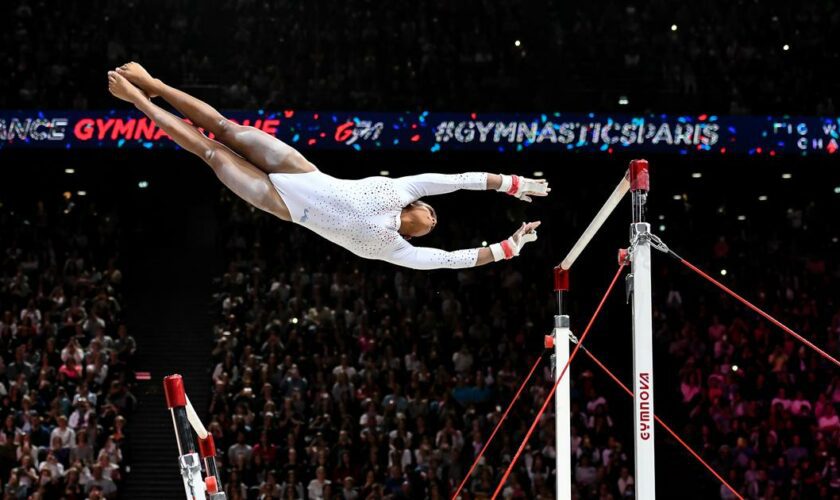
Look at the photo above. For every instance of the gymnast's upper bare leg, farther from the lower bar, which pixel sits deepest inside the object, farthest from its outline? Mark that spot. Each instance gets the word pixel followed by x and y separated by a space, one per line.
pixel 265 151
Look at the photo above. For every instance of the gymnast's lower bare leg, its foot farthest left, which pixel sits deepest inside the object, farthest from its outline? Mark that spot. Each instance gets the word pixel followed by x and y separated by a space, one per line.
pixel 247 181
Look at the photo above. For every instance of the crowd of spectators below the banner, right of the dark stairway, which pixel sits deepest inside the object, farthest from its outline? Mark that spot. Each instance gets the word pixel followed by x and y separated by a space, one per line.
pixel 340 378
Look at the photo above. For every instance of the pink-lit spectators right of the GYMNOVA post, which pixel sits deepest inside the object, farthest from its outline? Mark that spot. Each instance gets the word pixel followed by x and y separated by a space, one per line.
pixel 758 404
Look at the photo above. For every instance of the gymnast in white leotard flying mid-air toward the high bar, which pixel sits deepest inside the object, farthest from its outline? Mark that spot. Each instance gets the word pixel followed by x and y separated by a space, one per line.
pixel 372 217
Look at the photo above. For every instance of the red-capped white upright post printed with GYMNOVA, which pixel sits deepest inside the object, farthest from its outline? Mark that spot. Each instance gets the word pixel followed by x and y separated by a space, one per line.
pixel 642 335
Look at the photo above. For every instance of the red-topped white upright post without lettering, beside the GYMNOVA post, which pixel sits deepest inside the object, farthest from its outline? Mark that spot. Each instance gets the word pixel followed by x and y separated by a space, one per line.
pixel 562 430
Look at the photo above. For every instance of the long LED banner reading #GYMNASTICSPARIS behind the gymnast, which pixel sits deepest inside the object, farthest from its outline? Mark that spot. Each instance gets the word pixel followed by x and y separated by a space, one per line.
pixel 433 131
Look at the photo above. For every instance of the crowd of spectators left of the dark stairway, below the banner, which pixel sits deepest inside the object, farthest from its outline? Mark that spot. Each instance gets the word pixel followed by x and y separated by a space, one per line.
pixel 65 356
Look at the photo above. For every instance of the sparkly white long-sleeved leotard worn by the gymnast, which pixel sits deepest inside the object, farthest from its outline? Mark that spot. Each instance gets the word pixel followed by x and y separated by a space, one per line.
pixel 363 215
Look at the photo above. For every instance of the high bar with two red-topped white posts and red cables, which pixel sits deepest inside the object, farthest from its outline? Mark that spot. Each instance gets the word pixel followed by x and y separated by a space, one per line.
pixel 638 256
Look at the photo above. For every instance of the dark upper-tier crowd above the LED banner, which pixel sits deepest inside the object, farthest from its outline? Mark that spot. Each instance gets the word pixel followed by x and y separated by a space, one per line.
pixel 717 56
